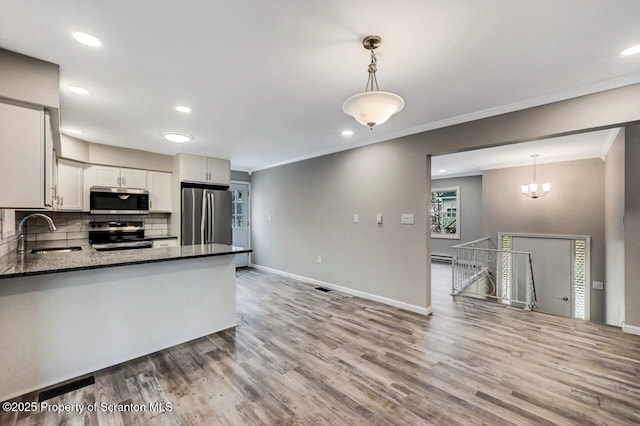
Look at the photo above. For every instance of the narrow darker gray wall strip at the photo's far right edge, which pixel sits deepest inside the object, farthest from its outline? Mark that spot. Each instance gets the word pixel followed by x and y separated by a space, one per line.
pixel 632 226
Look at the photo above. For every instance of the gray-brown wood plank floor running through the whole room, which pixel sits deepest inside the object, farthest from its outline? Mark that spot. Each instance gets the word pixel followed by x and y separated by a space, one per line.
pixel 301 356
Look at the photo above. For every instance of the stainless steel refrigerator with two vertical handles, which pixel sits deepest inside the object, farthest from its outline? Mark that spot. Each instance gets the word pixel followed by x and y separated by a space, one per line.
pixel 206 216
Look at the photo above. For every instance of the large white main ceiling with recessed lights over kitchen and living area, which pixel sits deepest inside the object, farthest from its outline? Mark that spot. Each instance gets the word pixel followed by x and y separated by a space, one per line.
pixel 266 78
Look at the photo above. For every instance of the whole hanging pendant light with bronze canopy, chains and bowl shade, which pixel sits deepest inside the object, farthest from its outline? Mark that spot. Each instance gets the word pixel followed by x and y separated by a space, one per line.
pixel 372 107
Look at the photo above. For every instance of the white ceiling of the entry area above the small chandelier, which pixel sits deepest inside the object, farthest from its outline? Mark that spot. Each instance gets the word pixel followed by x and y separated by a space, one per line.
pixel 565 148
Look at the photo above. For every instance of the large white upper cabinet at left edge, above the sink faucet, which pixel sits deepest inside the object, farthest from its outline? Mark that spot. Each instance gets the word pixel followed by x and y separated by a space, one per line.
pixel 24 171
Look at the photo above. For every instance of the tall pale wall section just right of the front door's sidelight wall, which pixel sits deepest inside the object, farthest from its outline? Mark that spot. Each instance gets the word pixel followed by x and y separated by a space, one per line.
pixel 614 232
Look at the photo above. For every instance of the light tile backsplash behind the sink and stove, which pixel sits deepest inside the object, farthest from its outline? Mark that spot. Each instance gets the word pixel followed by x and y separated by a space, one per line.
pixel 73 226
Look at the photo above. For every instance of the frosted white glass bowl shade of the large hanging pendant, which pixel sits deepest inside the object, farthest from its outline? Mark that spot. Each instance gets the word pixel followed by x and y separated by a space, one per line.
pixel 373 108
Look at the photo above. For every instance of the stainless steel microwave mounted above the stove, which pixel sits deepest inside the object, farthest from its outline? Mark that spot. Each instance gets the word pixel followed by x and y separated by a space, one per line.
pixel 103 200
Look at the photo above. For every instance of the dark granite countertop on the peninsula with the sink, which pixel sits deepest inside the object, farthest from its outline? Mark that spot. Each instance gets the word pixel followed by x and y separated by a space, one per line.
pixel 12 265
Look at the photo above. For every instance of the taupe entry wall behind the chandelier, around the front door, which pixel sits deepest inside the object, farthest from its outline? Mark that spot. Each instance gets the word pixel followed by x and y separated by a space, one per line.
pixel 575 206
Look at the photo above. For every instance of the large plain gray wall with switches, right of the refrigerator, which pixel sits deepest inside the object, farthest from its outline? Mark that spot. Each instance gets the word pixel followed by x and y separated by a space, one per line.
pixel 312 203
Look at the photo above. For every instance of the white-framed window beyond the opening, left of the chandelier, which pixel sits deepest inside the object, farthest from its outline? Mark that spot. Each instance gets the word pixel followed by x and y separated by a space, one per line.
pixel 445 216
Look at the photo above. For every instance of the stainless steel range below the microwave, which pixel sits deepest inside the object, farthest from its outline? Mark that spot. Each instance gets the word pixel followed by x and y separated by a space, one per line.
pixel 113 235
